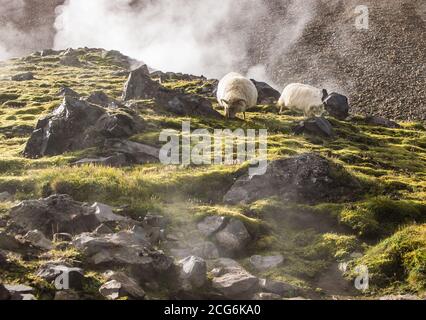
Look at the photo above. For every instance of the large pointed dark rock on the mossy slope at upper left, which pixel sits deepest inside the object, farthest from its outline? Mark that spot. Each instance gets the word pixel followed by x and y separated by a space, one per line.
pixel 76 125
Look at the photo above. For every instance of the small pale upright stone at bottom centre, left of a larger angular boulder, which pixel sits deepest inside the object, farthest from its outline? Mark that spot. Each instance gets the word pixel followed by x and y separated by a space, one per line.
pixel 193 271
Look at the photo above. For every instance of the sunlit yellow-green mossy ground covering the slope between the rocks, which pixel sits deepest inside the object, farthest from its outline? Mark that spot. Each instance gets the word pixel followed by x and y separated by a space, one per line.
pixel 390 163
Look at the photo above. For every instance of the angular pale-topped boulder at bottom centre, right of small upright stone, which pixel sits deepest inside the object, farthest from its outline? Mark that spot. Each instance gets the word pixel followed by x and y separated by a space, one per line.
pixel 233 281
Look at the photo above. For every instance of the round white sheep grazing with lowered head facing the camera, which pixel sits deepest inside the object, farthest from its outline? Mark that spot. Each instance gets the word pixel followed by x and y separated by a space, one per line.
pixel 236 93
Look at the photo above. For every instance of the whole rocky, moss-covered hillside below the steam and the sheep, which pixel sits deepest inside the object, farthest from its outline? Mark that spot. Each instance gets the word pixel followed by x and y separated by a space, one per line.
pixel 356 197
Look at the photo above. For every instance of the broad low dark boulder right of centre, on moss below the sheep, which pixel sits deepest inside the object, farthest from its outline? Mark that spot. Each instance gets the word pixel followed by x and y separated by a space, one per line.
pixel 307 178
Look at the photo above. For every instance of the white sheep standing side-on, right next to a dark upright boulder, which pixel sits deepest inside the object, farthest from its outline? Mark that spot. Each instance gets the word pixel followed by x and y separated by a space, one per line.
pixel 302 97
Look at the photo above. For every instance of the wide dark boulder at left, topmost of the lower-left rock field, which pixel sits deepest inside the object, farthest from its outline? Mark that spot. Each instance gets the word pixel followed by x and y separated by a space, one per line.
pixel 55 214
